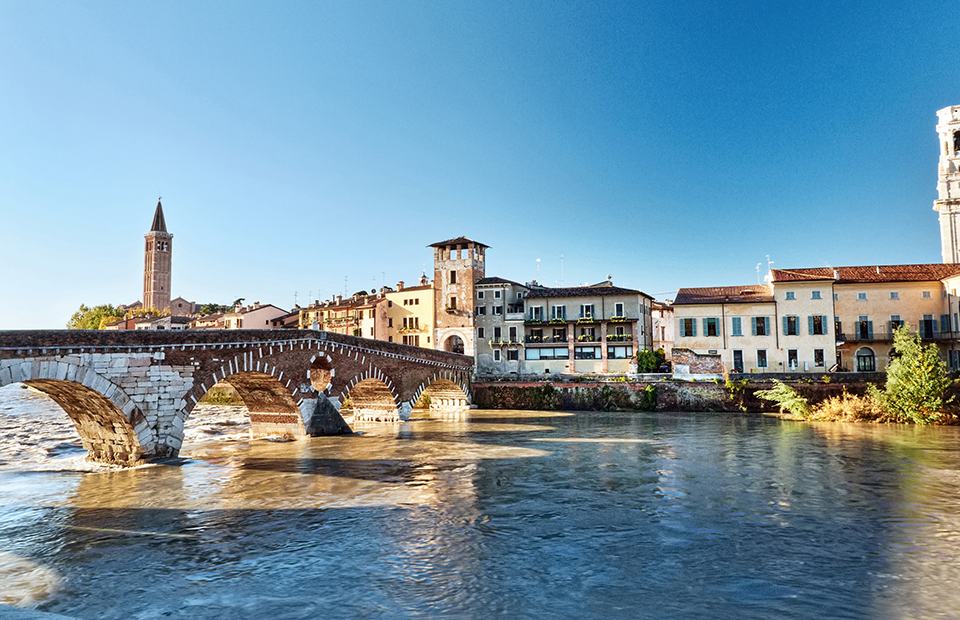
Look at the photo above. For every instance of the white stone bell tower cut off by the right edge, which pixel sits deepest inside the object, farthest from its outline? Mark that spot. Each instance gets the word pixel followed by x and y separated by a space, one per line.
pixel 948 183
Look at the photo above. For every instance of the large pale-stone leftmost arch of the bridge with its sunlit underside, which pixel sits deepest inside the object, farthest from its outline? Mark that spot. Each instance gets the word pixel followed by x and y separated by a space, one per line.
pixel 111 427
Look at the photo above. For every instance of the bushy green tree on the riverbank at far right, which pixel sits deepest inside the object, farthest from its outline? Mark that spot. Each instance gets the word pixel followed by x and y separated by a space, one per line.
pixel 917 380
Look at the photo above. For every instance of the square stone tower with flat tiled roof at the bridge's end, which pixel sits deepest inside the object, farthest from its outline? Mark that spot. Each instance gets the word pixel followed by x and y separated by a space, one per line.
pixel 457 265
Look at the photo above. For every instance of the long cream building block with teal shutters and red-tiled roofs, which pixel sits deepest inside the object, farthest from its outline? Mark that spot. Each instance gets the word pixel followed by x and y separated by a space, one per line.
pixel 822 319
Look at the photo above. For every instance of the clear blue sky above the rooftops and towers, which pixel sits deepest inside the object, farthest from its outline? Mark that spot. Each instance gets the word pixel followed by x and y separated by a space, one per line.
pixel 296 144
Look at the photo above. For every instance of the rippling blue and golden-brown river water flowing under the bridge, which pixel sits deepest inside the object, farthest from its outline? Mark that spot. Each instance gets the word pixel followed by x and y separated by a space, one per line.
pixel 505 514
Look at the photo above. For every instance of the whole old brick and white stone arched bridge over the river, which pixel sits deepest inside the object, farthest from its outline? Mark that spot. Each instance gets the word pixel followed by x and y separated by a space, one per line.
pixel 129 393
